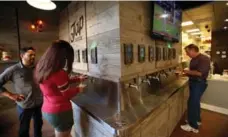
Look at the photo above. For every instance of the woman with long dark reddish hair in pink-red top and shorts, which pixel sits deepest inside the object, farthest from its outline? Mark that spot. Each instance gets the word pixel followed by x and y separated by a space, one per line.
pixel 54 84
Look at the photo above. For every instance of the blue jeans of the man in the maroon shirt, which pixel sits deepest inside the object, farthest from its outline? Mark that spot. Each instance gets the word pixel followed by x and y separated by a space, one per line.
pixel 197 88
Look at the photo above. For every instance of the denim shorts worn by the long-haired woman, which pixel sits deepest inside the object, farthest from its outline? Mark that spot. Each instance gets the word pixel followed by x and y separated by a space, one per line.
pixel 61 122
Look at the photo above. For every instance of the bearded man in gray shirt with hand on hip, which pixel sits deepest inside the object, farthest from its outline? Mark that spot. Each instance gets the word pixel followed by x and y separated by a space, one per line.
pixel 27 94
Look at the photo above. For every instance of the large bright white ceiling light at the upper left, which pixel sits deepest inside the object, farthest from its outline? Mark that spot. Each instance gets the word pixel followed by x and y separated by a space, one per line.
pixel 42 4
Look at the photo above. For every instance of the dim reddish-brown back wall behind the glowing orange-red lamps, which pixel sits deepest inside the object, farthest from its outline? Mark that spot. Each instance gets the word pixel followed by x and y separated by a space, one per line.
pixel 39 40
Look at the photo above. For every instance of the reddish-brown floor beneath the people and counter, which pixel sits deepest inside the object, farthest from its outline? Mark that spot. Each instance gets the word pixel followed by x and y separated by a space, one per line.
pixel 214 125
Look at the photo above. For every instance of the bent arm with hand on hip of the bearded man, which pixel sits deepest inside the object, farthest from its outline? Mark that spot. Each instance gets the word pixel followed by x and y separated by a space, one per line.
pixel 4 78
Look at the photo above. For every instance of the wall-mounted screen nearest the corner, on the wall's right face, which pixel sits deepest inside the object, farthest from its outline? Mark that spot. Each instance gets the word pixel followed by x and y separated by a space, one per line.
pixel 128 54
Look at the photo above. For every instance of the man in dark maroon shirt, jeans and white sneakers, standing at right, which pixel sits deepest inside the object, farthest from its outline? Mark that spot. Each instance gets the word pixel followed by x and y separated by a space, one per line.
pixel 197 73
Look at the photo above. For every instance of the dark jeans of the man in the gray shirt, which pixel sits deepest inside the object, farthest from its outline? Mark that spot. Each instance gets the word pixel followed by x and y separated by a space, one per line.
pixel 25 116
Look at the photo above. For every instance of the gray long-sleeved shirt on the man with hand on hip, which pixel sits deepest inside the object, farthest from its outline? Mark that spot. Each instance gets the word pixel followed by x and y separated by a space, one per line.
pixel 23 82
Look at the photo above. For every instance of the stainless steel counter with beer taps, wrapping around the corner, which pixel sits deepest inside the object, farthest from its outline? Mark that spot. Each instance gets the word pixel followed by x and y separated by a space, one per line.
pixel 99 101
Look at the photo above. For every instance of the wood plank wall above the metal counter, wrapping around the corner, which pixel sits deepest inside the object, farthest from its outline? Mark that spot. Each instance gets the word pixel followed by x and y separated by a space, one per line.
pixel 108 26
